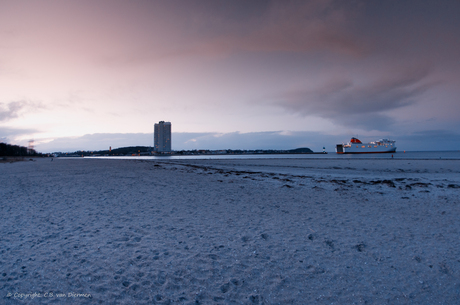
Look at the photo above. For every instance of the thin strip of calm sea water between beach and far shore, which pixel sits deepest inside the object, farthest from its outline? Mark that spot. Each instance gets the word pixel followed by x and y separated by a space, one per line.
pixel 410 155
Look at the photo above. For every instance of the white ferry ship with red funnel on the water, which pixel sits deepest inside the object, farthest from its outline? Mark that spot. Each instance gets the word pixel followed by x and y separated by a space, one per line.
pixel 355 146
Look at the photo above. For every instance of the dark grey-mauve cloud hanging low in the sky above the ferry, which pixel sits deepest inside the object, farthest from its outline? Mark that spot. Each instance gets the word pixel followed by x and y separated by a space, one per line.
pixel 362 102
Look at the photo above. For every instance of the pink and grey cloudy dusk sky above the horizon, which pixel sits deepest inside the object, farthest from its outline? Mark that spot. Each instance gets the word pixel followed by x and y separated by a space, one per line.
pixel 86 75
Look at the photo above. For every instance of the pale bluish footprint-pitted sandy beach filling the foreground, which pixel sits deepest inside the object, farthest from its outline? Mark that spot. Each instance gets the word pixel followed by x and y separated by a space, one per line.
pixel 258 231
